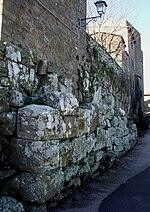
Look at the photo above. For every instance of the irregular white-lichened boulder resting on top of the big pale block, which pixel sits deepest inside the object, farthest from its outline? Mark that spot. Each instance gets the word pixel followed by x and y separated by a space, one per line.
pixel 65 102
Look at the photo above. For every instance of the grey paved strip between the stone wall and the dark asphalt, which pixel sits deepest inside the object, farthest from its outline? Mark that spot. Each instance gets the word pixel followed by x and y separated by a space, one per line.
pixel 89 197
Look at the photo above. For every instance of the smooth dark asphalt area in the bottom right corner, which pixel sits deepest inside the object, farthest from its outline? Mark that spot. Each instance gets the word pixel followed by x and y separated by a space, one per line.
pixel 132 196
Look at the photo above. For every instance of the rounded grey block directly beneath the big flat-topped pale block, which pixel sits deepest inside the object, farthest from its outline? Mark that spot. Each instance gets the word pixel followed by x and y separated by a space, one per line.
pixel 35 156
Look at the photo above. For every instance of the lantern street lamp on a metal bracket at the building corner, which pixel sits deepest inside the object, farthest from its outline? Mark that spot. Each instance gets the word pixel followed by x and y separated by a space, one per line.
pixel 101 8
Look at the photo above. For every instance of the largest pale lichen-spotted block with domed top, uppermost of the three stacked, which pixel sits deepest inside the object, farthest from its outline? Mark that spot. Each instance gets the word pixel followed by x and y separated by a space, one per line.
pixel 44 123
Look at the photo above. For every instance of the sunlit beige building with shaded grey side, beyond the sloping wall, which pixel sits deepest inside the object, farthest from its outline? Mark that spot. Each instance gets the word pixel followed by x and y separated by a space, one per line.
pixel 123 42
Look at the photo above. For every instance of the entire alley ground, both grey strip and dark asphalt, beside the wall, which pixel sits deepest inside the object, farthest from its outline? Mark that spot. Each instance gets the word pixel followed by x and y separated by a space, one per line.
pixel 90 198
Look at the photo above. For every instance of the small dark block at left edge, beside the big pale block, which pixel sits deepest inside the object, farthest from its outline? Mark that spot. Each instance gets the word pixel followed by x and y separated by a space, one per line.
pixel 8 123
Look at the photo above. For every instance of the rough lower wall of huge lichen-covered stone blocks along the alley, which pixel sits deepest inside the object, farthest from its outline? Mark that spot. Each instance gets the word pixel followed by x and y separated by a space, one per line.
pixel 52 141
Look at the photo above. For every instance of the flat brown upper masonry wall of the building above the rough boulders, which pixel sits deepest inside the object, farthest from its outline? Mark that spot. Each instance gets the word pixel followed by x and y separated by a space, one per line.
pixel 47 27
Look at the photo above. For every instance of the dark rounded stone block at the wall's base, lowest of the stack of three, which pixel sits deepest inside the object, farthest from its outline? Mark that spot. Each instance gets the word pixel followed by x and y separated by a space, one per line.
pixel 36 188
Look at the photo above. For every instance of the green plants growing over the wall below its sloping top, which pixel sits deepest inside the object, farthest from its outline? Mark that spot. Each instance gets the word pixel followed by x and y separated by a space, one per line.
pixel 97 72
